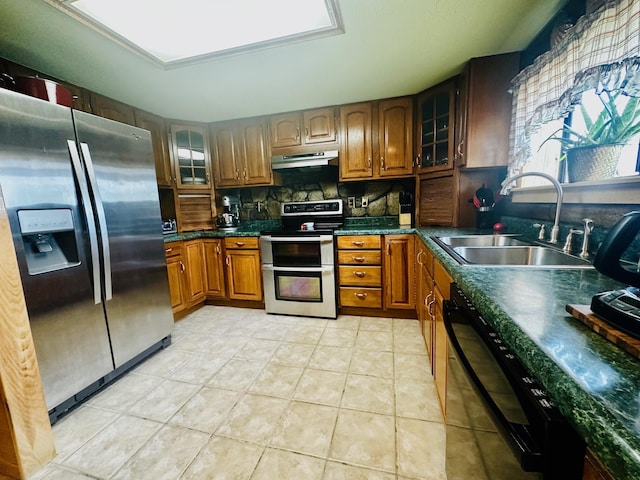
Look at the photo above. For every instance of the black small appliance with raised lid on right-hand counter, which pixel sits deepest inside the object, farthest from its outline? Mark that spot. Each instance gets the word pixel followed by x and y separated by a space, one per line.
pixel 619 308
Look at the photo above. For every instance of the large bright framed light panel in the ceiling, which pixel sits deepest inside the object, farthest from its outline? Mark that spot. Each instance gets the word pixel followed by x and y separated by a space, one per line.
pixel 174 32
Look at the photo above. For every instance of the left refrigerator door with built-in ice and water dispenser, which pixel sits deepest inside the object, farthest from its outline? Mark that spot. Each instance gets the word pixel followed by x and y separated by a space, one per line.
pixel 51 239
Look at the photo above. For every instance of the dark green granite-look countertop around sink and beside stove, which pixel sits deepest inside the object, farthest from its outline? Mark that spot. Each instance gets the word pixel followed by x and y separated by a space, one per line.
pixel 595 384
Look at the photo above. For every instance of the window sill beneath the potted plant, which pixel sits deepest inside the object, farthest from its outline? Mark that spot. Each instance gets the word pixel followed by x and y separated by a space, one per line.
pixel 621 191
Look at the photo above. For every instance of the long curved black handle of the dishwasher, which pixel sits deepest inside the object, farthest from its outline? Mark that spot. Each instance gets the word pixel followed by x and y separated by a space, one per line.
pixel 529 455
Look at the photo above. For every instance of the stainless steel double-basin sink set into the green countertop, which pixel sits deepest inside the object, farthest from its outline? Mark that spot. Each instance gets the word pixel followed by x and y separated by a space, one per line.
pixel 506 251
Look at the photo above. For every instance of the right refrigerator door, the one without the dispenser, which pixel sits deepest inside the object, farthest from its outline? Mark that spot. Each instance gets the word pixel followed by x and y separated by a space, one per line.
pixel 121 175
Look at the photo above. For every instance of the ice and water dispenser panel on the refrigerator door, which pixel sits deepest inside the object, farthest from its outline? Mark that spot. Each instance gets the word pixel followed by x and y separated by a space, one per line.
pixel 49 239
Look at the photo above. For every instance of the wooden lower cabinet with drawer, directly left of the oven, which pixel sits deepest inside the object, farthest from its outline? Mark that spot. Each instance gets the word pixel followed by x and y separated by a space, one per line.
pixel 244 275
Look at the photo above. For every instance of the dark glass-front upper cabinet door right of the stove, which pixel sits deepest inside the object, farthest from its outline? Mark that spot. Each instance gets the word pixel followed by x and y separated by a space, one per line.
pixel 436 114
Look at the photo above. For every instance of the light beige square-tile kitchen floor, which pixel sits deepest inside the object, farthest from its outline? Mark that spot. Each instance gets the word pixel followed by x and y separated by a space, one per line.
pixel 244 395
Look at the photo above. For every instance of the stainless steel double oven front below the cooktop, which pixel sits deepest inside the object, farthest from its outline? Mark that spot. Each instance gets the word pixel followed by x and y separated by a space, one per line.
pixel 299 274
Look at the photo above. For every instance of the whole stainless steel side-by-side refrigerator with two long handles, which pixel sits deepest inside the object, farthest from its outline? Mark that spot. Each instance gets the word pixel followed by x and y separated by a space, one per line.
pixel 81 197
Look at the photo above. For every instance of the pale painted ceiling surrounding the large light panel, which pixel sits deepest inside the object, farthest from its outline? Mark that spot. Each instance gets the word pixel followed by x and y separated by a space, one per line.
pixel 389 48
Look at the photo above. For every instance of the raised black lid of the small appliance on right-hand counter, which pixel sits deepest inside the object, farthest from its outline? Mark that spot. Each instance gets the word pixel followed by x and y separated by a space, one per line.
pixel 607 259
